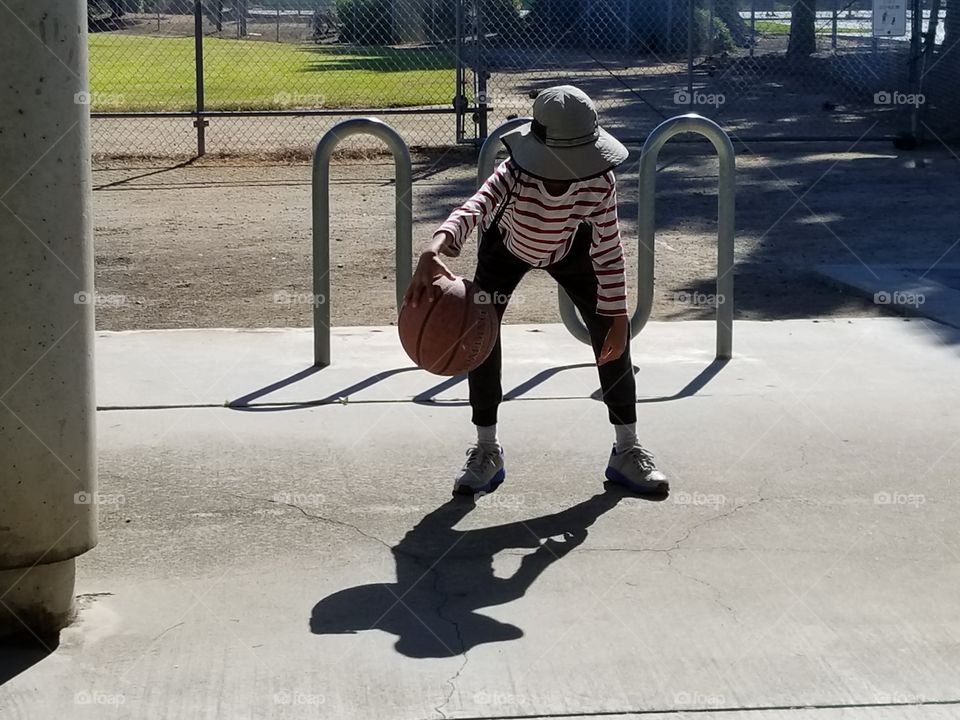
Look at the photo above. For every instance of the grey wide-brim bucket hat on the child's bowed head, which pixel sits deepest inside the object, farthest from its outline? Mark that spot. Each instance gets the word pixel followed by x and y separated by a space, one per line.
pixel 564 141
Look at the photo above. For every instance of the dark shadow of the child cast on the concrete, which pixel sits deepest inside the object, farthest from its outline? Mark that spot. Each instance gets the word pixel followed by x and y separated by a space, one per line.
pixel 444 576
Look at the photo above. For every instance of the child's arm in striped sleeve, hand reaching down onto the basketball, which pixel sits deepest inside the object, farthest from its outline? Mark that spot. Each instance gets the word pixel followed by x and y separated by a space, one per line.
pixel 449 238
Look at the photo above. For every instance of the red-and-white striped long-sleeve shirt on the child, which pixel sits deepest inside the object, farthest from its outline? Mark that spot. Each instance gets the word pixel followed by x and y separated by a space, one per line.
pixel 539 228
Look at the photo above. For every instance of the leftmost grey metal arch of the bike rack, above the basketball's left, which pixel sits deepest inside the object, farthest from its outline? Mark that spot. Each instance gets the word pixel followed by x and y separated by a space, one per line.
pixel 321 220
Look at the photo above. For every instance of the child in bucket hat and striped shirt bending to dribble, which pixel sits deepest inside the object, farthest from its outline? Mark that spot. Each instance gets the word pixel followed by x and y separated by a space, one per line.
pixel 551 205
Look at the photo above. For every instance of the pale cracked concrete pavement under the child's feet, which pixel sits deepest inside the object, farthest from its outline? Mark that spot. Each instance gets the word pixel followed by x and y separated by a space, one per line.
pixel 300 556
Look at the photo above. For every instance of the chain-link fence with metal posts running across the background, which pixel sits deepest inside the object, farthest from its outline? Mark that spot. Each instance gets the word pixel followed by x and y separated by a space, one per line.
pixel 174 77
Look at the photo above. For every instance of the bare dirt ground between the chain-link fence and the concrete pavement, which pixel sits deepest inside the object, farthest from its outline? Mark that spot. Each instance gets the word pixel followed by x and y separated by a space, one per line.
pixel 228 244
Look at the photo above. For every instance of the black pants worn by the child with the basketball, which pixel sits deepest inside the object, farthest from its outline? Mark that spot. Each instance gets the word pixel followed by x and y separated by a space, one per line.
pixel 498 273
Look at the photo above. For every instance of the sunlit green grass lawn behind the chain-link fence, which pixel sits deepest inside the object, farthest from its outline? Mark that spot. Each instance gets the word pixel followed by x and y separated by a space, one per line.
pixel 130 72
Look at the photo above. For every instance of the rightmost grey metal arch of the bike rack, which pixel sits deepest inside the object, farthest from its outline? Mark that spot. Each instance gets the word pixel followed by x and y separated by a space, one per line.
pixel 646 222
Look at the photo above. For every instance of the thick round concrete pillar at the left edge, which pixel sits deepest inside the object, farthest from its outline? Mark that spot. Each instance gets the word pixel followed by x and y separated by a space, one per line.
pixel 48 506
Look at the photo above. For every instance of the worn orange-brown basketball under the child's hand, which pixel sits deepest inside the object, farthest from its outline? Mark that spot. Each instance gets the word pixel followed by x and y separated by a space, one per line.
pixel 454 333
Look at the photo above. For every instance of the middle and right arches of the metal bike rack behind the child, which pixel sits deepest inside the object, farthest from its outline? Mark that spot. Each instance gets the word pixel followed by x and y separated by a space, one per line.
pixel 690 123
